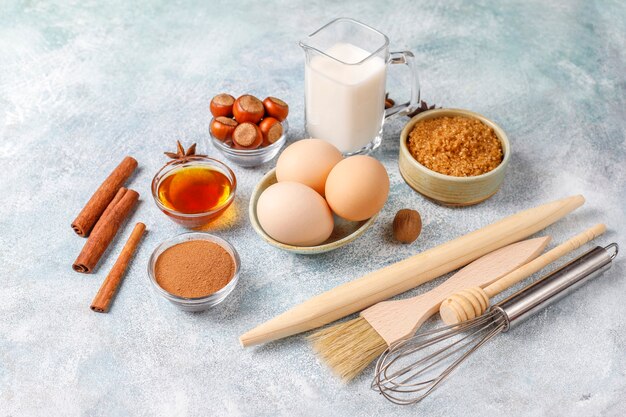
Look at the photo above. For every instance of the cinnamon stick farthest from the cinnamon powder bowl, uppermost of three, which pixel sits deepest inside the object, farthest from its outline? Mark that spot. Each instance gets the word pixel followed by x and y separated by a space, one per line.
pixel 89 215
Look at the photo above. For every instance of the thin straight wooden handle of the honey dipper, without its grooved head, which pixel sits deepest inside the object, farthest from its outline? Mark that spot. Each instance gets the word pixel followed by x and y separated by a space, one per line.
pixel 545 259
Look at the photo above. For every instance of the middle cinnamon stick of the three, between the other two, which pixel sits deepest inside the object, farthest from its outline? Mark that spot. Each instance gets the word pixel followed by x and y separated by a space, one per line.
pixel 104 232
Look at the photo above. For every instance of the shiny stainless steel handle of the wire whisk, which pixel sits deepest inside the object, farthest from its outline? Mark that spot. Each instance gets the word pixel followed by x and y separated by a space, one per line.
pixel 556 285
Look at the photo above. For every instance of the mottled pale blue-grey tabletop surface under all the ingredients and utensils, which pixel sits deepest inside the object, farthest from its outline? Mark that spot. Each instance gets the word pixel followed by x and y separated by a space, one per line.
pixel 83 84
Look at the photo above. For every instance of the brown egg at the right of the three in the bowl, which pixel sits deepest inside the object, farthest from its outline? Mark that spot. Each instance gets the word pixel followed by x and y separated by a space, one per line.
pixel 357 188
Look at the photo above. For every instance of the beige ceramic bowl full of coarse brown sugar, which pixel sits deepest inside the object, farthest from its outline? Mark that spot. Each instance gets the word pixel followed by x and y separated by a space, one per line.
pixel 454 157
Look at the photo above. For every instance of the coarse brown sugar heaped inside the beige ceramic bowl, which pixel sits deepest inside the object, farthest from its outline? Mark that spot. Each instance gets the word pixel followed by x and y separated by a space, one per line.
pixel 456 146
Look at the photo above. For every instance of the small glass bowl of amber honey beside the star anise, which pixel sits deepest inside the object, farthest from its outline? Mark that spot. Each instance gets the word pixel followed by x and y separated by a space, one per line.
pixel 195 191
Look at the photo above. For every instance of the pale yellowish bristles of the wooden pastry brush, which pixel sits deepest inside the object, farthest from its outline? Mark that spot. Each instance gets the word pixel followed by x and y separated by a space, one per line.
pixel 348 347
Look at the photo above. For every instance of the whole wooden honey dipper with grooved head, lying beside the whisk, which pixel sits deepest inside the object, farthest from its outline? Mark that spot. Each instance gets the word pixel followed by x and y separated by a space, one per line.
pixel 473 302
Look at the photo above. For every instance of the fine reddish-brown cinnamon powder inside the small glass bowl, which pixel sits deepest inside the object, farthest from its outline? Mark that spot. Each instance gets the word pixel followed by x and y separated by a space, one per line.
pixel 194 269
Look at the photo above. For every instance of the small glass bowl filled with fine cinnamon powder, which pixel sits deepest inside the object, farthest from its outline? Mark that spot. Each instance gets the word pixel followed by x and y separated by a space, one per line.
pixel 194 271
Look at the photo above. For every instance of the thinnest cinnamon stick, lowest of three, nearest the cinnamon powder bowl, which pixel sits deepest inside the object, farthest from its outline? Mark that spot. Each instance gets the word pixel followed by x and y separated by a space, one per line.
pixel 102 301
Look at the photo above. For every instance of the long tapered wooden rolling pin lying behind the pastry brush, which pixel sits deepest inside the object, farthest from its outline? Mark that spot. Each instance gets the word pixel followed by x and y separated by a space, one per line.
pixel 402 276
